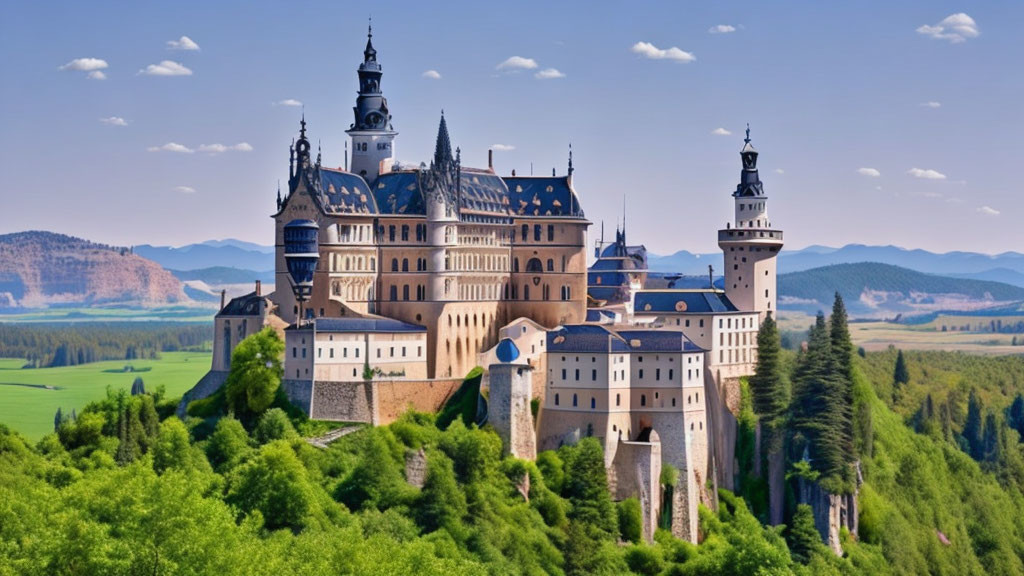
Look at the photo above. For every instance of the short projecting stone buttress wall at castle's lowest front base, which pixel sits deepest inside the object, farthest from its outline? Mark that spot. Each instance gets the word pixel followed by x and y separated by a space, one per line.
pixel 636 471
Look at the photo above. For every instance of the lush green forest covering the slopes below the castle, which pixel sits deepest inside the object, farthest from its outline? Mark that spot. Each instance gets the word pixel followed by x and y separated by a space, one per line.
pixel 127 488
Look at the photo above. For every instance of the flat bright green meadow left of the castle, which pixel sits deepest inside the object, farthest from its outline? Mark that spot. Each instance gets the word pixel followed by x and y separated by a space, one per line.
pixel 30 409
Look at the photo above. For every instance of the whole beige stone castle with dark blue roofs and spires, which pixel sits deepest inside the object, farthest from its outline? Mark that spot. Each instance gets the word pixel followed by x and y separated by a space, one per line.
pixel 426 272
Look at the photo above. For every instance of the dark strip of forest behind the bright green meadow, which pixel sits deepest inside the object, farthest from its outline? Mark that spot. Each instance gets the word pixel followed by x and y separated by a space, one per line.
pixel 53 345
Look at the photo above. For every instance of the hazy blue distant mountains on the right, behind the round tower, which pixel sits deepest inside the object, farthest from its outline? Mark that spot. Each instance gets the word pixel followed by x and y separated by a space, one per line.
pixel 1008 267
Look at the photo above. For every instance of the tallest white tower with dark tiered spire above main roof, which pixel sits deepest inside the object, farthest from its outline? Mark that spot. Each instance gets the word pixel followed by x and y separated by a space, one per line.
pixel 373 137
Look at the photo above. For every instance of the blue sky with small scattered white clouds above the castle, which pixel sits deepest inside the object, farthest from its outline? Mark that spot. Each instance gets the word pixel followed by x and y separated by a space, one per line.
pixel 878 124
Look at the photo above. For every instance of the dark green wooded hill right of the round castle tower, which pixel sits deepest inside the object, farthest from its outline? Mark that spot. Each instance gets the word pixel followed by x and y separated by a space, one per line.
pixel 877 290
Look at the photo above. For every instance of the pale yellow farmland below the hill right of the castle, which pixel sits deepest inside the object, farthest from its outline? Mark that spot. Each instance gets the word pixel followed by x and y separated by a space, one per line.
pixel 874 337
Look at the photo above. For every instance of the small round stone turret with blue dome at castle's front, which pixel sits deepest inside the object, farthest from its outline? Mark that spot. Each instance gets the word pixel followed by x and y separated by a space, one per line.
pixel 508 402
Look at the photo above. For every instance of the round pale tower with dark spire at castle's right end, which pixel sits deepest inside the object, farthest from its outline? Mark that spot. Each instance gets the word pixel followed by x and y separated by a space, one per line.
pixel 751 244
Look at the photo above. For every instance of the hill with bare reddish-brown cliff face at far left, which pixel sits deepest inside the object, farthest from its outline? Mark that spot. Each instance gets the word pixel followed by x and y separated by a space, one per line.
pixel 44 269
